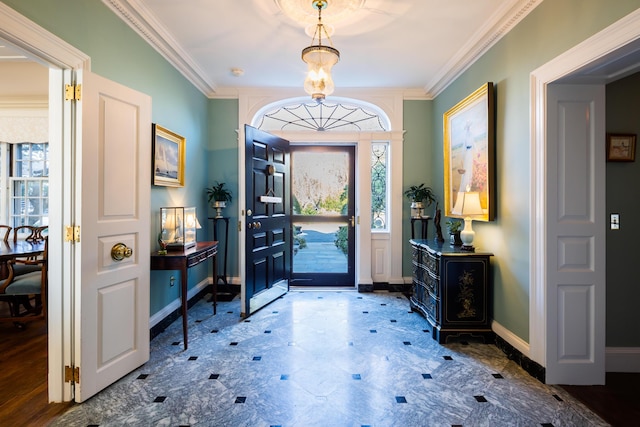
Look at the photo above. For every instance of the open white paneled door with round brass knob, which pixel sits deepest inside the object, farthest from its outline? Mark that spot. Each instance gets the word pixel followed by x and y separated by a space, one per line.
pixel 113 180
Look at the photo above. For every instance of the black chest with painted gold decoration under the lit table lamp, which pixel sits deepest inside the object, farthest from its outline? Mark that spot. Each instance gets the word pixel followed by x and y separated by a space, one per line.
pixel 452 289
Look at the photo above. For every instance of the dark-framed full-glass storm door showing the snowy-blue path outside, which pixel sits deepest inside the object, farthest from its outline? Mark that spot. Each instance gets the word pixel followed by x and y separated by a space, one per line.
pixel 323 215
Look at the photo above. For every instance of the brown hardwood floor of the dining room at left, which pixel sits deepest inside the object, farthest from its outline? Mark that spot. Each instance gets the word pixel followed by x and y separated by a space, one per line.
pixel 23 377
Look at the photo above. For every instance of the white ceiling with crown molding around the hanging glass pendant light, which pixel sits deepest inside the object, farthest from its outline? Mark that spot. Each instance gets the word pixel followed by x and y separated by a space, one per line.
pixel 418 46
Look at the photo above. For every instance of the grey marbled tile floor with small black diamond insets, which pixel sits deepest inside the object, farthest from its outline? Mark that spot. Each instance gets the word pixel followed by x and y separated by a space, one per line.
pixel 324 358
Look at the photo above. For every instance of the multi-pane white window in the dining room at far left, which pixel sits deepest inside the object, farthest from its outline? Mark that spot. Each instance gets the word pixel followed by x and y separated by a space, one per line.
pixel 29 185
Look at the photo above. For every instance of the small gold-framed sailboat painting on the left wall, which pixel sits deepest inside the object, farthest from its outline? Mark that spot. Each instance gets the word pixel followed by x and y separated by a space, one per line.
pixel 169 154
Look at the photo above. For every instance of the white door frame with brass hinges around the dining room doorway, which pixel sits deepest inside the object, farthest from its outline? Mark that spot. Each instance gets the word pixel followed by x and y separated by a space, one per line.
pixel 62 59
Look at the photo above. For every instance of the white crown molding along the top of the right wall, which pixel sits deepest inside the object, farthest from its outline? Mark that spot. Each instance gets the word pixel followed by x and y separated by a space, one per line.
pixel 505 19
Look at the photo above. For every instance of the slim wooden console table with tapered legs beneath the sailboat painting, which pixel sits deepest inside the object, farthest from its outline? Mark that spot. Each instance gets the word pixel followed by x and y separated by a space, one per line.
pixel 182 260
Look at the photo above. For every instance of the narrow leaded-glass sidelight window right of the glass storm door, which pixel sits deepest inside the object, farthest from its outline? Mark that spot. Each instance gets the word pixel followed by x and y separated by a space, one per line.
pixel 379 179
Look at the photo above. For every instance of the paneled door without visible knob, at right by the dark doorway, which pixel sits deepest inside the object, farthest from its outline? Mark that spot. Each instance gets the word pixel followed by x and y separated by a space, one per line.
pixel 576 235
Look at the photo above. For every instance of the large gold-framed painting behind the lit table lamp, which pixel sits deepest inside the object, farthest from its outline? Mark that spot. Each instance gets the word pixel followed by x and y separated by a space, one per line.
pixel 469 152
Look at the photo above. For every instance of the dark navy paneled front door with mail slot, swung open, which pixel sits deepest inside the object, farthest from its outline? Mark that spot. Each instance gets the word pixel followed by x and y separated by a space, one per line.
pixel 267 219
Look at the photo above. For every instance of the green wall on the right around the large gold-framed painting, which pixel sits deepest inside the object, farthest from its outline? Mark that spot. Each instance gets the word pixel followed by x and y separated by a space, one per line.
pixel 549 30
